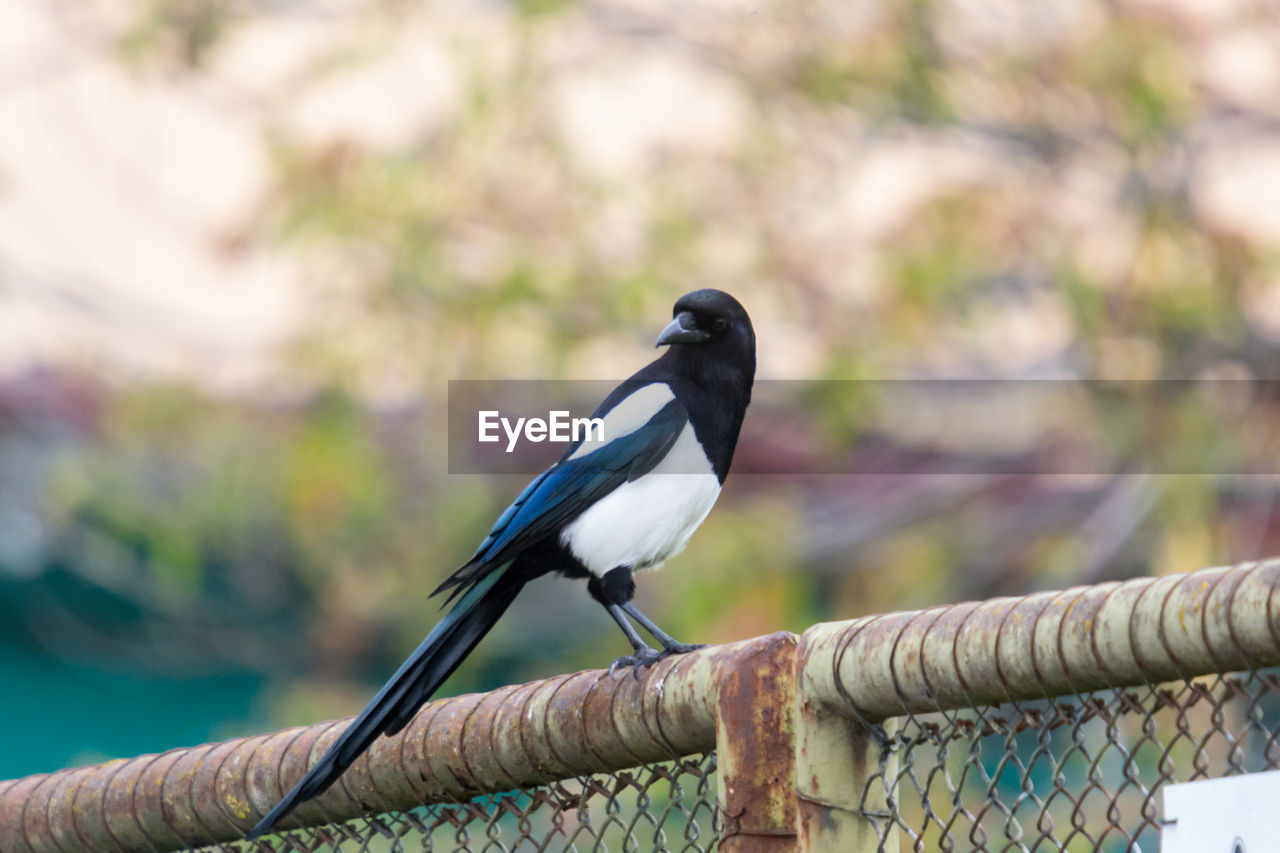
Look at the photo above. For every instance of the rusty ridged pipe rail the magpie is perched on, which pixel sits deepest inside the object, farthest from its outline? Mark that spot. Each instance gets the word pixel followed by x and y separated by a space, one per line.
pixel 456 749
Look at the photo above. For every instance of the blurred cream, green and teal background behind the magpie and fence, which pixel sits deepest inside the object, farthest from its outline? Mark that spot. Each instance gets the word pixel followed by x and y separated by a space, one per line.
pixel 245 245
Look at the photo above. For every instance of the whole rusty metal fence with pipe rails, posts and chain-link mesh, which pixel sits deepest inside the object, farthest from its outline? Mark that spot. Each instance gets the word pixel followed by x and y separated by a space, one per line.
pixel 1048 722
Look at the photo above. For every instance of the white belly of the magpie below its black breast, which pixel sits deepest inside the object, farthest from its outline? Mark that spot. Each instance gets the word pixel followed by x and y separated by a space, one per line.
pixel 643 523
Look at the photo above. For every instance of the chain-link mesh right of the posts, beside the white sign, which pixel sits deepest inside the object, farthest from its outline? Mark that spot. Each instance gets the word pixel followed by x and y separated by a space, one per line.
pixel 1080 773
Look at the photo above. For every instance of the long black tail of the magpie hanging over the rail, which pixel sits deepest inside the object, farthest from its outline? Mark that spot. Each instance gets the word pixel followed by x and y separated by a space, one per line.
pixel 404 695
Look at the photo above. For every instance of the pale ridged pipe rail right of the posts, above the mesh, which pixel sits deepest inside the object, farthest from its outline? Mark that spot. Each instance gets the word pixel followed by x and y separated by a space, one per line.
pixel 1055 644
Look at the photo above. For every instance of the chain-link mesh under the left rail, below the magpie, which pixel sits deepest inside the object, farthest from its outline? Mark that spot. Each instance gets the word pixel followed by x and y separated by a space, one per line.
pixel 666 806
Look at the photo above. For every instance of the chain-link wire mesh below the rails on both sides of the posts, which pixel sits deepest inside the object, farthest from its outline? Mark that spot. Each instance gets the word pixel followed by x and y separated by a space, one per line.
pixel 1078 773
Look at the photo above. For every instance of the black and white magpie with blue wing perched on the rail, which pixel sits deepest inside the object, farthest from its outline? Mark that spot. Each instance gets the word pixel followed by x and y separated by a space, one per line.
pixel 623 499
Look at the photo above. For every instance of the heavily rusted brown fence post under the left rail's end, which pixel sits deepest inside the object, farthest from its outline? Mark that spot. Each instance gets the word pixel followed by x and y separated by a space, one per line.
pixel 756 746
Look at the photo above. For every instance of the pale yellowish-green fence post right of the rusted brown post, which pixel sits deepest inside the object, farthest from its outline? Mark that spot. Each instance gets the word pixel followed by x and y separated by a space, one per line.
pixel 844 792
